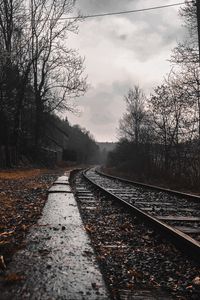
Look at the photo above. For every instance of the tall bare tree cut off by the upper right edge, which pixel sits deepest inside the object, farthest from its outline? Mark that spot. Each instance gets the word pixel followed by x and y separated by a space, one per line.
pixel 185 58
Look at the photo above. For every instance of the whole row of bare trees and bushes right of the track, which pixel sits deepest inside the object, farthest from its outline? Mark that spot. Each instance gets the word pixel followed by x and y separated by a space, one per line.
pixel 160 134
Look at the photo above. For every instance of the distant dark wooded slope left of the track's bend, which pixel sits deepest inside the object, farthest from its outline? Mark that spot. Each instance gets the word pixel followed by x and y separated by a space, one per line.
pixel 75 144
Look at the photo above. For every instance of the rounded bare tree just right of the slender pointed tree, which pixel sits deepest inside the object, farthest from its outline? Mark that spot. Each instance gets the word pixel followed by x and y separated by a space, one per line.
pixel 171 113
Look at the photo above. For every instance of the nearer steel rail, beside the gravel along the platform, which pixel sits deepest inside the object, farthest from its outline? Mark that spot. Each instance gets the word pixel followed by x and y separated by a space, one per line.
pixel 184 242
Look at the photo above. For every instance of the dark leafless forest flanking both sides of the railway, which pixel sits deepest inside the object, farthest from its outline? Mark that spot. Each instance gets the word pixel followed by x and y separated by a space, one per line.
pixel 41 77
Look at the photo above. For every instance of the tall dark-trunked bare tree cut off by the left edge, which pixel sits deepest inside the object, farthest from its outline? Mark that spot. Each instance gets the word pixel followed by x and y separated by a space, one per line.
pixel 14 69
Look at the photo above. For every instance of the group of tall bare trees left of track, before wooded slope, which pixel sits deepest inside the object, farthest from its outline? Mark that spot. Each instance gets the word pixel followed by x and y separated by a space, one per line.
pixel 39 73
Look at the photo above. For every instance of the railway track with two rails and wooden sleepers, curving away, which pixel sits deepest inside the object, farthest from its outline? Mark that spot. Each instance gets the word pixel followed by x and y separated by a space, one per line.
pixel 177 215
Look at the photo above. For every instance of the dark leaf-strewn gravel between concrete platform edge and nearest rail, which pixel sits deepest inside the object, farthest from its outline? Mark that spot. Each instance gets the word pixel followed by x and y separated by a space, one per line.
pixel 133 257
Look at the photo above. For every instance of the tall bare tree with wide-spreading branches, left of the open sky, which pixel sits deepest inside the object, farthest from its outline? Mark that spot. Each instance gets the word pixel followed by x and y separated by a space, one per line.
pixel 57 70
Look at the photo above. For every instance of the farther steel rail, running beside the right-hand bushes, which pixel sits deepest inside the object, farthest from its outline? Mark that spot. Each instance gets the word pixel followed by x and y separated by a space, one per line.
pixel 149 186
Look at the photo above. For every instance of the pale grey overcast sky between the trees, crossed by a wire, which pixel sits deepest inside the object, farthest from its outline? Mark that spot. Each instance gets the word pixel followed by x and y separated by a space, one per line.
pixel 120 52
